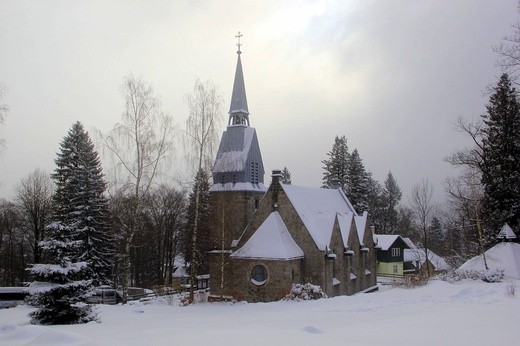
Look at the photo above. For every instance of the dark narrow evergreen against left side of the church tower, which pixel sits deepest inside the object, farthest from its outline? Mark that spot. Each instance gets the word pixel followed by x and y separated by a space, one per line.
pixel 202 243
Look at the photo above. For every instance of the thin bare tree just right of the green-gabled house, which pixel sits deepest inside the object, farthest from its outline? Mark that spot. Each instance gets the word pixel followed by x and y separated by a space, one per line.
pixel 423 210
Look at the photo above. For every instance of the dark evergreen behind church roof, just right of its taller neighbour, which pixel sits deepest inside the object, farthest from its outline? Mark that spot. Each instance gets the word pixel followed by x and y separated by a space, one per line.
pixel 359 183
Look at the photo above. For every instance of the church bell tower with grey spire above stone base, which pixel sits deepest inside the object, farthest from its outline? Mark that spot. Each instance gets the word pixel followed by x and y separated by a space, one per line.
pixel 238 183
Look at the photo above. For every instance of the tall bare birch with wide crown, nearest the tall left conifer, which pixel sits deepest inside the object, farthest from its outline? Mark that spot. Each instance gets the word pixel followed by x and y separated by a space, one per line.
pixel 139 146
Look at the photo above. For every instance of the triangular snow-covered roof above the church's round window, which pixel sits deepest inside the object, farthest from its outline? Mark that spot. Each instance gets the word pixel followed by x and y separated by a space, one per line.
pixel 271 241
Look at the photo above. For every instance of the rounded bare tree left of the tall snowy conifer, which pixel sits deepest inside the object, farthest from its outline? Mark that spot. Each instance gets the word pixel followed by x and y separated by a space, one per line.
pixel 34 197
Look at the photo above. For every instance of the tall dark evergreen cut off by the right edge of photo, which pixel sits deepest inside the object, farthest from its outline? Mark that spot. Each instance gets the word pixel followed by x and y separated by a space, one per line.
pixel 501 156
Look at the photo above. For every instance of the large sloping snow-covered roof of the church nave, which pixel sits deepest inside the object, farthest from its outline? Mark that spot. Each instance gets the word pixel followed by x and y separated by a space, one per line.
pixel 318 208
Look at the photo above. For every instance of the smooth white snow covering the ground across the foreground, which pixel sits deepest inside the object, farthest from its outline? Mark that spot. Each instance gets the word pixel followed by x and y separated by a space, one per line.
pixel 440 313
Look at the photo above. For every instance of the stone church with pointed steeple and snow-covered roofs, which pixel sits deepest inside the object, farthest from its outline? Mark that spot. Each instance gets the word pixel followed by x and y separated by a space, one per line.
pixel 265 239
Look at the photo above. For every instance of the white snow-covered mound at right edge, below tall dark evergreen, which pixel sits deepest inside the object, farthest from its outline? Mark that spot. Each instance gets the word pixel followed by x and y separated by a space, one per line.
pixel 503 256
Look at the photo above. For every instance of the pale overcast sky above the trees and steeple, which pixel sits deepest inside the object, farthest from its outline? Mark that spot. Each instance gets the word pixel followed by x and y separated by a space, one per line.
pixel 392 76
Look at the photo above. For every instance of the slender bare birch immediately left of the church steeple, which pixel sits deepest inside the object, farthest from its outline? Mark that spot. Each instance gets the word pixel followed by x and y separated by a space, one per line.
pixel 201 136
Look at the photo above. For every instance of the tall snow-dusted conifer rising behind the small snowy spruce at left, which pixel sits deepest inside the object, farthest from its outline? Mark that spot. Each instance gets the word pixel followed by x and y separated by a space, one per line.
pixel 80 203
